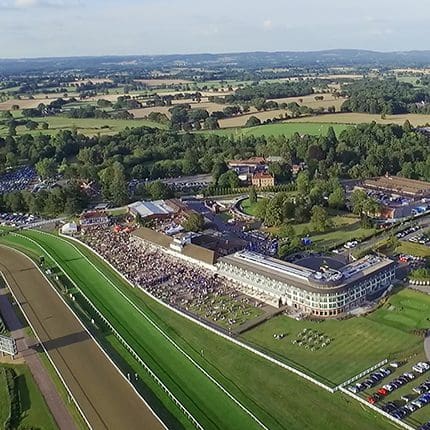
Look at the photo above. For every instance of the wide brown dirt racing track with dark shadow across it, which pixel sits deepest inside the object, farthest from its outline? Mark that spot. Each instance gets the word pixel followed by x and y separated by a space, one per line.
pixel 104 396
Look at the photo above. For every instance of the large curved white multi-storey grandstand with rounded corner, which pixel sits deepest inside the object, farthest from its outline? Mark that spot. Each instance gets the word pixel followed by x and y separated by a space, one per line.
pixel 324 293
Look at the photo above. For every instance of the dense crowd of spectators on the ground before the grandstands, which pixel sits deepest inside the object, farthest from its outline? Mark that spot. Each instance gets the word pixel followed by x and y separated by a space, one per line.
pixel 173 280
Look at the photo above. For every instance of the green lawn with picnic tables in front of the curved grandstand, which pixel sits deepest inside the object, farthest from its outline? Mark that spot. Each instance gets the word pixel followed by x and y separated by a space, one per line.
pixel 356 343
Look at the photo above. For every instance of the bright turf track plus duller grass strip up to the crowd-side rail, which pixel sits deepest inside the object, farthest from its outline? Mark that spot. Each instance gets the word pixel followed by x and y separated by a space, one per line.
pixel 280 399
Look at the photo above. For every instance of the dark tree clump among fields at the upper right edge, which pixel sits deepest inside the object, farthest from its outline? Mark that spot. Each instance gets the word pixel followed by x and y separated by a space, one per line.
pixel 384 96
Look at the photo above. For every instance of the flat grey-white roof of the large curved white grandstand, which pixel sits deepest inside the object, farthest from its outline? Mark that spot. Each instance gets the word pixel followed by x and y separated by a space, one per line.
pixel 328 280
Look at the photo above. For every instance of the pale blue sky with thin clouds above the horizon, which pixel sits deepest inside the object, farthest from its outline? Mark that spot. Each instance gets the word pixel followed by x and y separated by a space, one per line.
pixel 60 28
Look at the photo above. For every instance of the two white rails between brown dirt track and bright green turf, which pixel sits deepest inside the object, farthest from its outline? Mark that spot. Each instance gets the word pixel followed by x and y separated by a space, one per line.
pixel 123 342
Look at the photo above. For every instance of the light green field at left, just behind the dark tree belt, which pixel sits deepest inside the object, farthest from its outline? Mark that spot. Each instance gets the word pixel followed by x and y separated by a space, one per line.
pixel 87 126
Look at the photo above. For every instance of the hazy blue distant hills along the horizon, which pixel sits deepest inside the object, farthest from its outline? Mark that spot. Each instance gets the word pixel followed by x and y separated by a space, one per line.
pixel 246 60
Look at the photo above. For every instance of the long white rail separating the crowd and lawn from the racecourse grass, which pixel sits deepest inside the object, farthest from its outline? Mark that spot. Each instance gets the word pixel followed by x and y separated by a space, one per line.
pixel 207 327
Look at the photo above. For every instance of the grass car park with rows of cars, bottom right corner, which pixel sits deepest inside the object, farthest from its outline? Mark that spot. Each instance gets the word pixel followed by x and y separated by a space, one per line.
pixel 401 389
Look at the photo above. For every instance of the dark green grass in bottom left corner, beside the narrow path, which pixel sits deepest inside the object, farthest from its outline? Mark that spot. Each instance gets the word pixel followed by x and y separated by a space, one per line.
pixel 34 411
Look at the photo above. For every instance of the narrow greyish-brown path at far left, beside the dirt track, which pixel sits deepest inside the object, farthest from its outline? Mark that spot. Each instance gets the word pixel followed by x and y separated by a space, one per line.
pixel 27 351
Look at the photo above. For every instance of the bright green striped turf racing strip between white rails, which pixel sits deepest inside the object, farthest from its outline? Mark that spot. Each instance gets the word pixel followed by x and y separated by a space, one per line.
pixel 206 401
